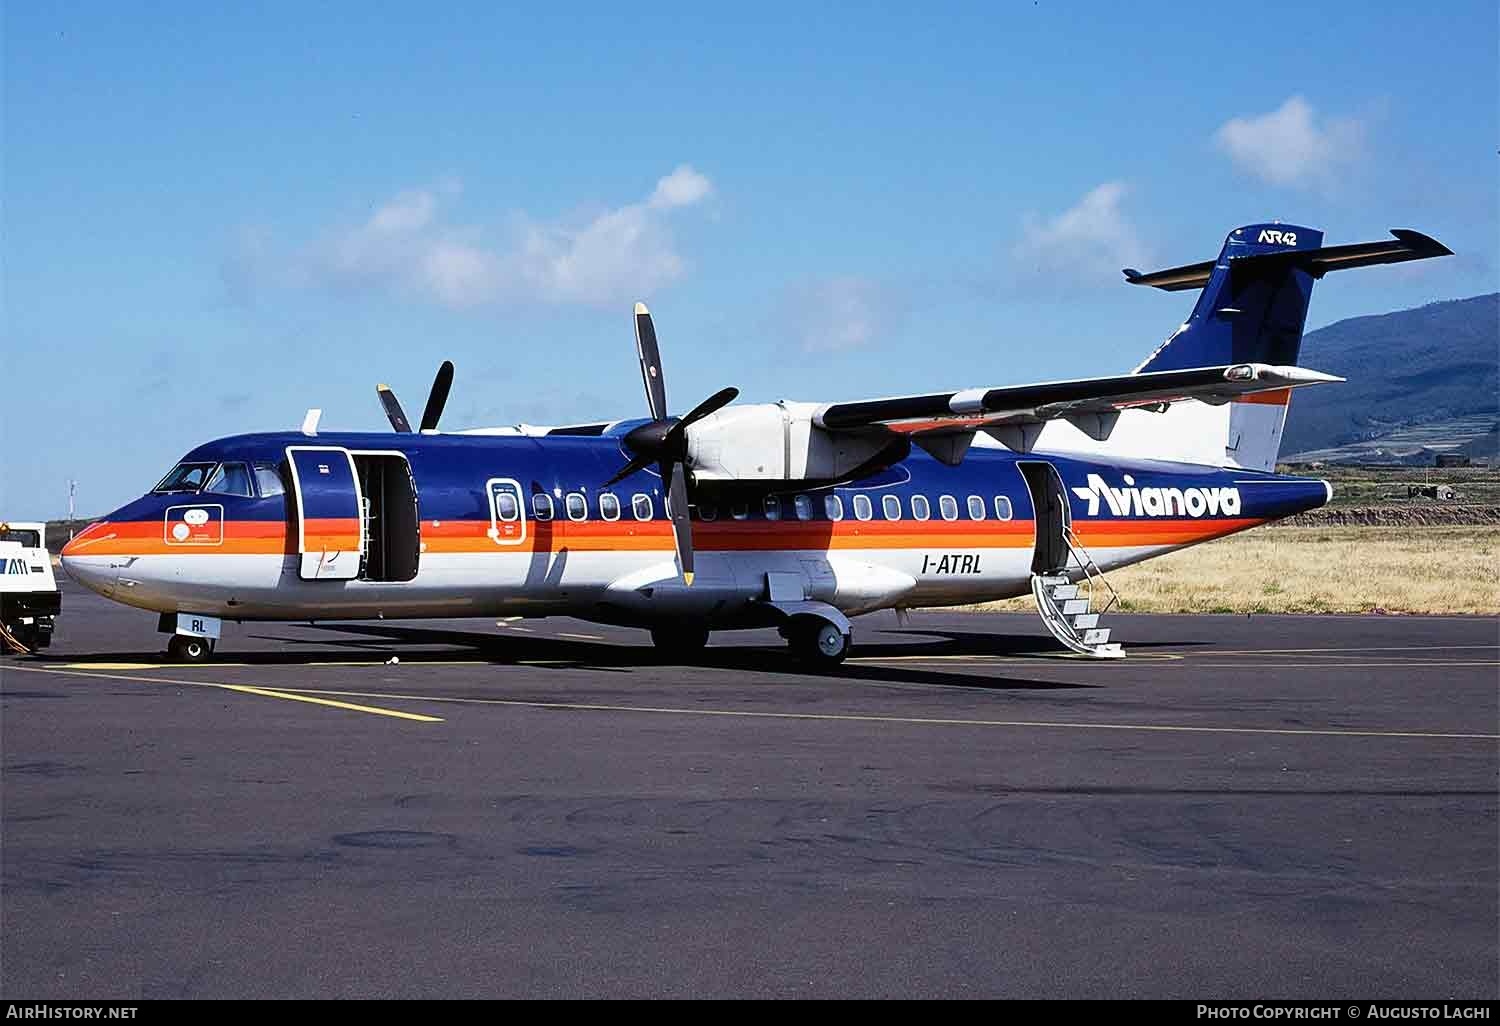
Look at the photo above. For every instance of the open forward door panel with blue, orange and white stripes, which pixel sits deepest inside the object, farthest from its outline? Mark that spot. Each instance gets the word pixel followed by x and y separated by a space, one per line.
pixel 329 511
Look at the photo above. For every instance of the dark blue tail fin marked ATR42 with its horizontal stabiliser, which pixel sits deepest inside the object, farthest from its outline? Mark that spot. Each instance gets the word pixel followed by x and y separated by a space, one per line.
pixel 1253 310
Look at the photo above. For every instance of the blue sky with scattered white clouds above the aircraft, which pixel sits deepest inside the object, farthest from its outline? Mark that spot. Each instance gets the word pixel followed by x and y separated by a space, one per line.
pixel 215 220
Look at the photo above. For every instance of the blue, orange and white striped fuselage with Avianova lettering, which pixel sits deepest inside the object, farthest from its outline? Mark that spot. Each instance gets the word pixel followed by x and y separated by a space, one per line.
pixel 523 526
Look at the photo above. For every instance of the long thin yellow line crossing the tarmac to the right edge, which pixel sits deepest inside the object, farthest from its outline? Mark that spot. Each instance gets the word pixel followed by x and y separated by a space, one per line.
pixel 917 721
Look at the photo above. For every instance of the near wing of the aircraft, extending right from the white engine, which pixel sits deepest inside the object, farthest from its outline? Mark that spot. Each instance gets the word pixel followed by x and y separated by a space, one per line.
pixel 979 409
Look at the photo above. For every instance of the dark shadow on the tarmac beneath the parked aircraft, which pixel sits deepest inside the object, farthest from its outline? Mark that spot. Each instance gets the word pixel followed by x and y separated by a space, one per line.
pixel 545 653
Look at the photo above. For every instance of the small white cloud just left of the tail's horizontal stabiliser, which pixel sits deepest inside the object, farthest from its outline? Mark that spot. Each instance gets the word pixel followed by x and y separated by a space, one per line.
pixel 1088 244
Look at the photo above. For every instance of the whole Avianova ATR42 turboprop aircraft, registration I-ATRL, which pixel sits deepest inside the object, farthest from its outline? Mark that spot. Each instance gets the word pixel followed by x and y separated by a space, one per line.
pixel 796 515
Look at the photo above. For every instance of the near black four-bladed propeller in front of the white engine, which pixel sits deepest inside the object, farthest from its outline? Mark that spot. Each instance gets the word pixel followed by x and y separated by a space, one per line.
pixel 664 440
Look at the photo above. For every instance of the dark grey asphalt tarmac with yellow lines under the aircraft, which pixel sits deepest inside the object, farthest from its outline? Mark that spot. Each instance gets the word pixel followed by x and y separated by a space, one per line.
pixel 1244 808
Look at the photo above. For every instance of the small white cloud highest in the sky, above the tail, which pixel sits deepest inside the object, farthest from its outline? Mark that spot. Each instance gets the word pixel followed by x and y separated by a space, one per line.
pixel 1291 146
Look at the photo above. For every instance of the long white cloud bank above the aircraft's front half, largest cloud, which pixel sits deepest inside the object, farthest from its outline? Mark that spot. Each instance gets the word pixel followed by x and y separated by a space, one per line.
pixel 407 247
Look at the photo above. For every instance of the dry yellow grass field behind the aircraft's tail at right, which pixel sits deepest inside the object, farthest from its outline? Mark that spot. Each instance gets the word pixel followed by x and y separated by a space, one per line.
pixel 1321 571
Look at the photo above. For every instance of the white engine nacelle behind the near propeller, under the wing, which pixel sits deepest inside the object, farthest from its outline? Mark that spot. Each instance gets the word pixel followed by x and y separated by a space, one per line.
pixel 778 442
